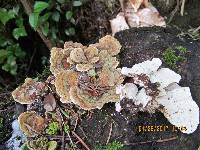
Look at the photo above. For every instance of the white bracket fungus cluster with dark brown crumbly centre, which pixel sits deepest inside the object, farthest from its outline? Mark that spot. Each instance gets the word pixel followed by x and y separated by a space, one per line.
pixel 150 87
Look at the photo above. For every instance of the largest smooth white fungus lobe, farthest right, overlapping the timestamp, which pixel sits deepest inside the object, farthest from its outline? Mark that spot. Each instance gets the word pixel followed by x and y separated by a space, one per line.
pixel 180 109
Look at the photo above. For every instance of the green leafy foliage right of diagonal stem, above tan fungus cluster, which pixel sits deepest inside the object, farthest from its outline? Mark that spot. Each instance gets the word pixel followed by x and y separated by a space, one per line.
pixel 53 15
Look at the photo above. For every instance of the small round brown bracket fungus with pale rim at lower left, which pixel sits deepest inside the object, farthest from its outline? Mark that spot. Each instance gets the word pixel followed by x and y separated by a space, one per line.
pixel 31 123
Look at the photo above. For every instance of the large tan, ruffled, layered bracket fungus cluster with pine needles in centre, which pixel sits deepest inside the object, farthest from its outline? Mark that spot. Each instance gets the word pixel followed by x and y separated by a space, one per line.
pixel 91 75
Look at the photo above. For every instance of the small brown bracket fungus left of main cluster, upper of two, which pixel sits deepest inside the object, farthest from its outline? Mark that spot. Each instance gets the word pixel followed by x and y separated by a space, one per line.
pixel 29 91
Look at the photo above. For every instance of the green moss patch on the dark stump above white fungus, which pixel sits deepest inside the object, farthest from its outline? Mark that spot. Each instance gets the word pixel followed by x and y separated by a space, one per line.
pixel 173 56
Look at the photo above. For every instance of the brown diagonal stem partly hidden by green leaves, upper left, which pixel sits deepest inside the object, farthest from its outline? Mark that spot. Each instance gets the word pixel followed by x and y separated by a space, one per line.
pixel 28 6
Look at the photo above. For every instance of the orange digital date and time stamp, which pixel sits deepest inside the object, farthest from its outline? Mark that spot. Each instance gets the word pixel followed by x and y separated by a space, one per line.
pixel 159 128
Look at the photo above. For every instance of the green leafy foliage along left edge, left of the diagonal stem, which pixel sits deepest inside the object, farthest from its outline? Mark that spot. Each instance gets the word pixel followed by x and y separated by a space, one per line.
pixel 10 50
